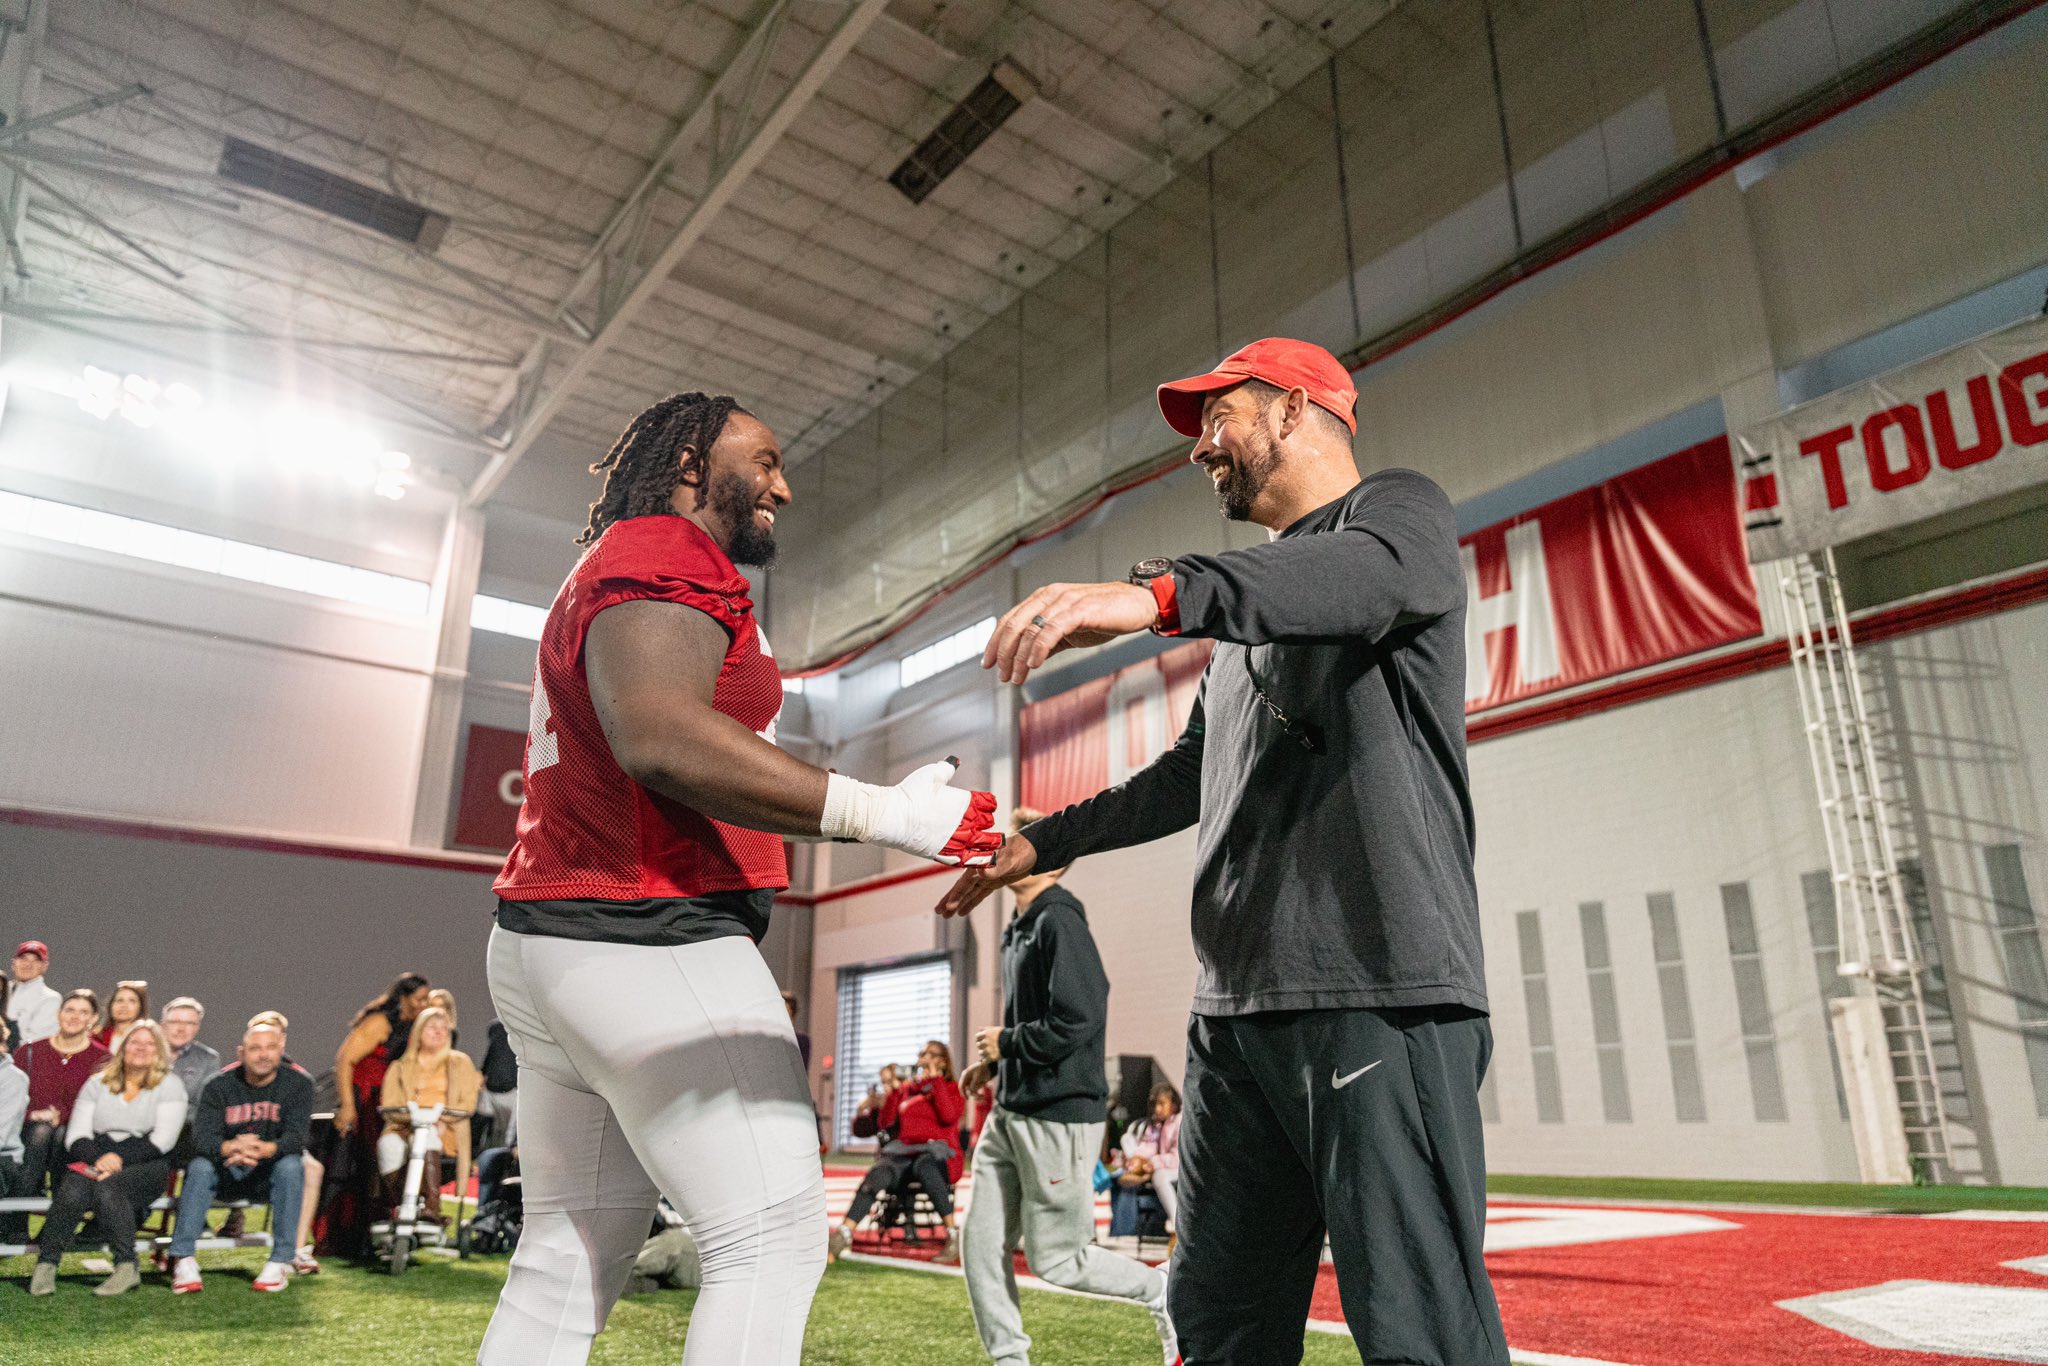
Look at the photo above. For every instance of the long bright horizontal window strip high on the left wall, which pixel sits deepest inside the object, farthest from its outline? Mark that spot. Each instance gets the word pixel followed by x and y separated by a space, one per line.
pixel 189 550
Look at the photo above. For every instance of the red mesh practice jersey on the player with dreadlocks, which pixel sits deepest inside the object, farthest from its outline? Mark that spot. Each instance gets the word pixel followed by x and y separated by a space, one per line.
pixel 591 833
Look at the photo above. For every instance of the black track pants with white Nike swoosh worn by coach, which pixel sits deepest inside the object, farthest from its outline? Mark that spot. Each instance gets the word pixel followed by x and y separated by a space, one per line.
pixel 1355 1123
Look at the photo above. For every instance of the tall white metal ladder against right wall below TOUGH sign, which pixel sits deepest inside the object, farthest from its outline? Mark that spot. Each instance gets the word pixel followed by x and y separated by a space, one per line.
pixel 1873 910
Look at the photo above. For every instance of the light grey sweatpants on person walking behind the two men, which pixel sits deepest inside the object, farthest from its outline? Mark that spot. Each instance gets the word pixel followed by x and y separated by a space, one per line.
pixel 1033 1189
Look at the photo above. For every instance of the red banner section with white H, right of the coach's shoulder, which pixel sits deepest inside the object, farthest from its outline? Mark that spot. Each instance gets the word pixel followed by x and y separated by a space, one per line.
pixel 1644 568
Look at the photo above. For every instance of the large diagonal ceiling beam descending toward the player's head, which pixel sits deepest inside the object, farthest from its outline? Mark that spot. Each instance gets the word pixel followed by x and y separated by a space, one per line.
pixel 632 286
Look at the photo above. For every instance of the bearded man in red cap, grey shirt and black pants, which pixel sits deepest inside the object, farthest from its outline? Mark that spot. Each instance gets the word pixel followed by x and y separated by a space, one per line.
pixel 1340 1015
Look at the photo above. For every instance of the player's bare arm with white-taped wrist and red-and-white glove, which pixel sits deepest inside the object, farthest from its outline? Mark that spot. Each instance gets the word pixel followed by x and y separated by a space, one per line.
pixel 654 669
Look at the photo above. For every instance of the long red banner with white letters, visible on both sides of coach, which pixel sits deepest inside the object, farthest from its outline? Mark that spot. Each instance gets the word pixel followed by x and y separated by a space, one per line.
pixel 1639 570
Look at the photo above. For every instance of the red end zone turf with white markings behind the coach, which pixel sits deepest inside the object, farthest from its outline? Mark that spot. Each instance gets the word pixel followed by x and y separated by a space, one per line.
pixel 1658 1287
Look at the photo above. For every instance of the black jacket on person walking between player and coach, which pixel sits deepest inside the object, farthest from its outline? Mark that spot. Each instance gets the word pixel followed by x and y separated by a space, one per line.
pixel 1056 1009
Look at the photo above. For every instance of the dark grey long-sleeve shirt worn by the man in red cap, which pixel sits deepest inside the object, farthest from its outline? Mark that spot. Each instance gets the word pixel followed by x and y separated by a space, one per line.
pixel 1338 878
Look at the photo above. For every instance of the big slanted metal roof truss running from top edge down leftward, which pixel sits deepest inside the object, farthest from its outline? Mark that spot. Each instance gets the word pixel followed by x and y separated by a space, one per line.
pixel 732 140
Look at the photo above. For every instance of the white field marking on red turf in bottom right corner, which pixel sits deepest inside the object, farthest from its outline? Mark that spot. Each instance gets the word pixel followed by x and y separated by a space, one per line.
pixel 1998 1324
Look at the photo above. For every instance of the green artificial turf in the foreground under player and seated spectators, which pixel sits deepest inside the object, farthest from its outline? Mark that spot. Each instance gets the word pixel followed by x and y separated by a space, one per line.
pixel 435 1314
